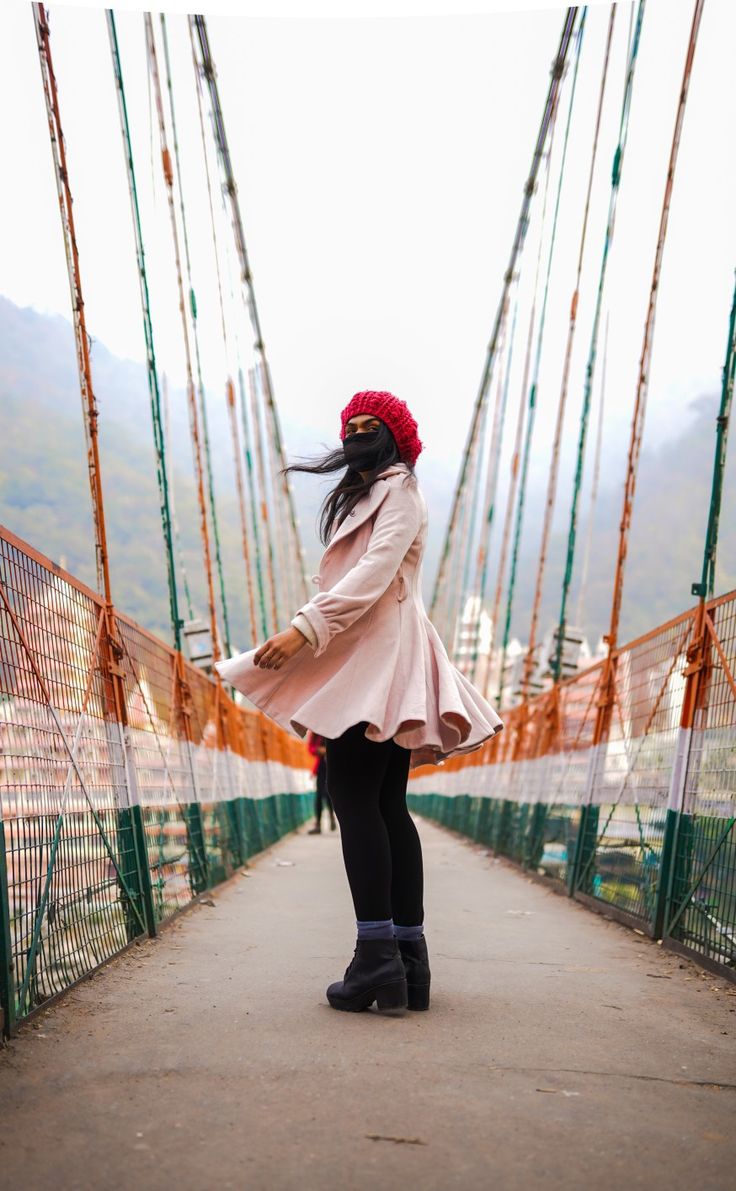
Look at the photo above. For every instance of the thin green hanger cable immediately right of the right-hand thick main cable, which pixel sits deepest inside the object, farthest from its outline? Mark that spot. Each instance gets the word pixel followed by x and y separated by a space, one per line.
pixel 535 379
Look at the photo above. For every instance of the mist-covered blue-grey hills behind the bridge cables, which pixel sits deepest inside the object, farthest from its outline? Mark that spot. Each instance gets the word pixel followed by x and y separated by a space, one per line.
pixel 45 494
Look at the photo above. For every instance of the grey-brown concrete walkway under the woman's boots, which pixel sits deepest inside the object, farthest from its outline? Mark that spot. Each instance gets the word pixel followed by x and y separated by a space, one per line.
pixel 562 1051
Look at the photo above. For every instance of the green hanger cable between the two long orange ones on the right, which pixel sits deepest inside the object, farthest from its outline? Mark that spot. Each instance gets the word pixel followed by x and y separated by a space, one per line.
pixel 616 173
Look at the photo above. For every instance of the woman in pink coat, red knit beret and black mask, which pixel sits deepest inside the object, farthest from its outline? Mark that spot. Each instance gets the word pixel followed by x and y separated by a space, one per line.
pixel 363 666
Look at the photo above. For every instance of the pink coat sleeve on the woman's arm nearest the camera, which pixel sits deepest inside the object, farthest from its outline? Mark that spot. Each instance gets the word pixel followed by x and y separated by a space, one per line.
pixel 397 525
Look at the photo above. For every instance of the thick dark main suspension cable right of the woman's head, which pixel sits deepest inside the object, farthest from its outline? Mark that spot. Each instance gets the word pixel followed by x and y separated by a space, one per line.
pixel 519 241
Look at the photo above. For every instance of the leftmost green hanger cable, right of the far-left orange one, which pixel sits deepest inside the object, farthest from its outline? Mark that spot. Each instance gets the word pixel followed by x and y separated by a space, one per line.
pixel 148 332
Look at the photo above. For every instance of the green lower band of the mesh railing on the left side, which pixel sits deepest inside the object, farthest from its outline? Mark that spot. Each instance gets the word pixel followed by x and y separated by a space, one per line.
pixel 96 906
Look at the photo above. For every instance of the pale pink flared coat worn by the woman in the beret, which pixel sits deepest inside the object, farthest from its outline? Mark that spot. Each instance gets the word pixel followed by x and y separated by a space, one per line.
pixel 378 658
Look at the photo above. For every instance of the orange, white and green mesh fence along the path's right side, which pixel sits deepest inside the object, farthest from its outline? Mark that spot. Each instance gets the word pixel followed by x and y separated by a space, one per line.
pixel 644 825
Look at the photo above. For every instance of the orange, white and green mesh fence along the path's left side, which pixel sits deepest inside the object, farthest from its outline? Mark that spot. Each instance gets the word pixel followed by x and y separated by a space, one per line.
pixel 110 826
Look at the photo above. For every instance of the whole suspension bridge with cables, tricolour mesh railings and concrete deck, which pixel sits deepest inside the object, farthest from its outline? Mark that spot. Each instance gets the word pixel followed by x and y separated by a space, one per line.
pixel 134 785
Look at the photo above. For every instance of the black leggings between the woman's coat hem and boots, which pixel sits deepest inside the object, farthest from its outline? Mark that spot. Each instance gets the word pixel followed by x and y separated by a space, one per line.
pixel 382 850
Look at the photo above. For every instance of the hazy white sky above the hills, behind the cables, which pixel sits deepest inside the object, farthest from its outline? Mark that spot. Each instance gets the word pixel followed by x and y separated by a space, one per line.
pixel 381 166
